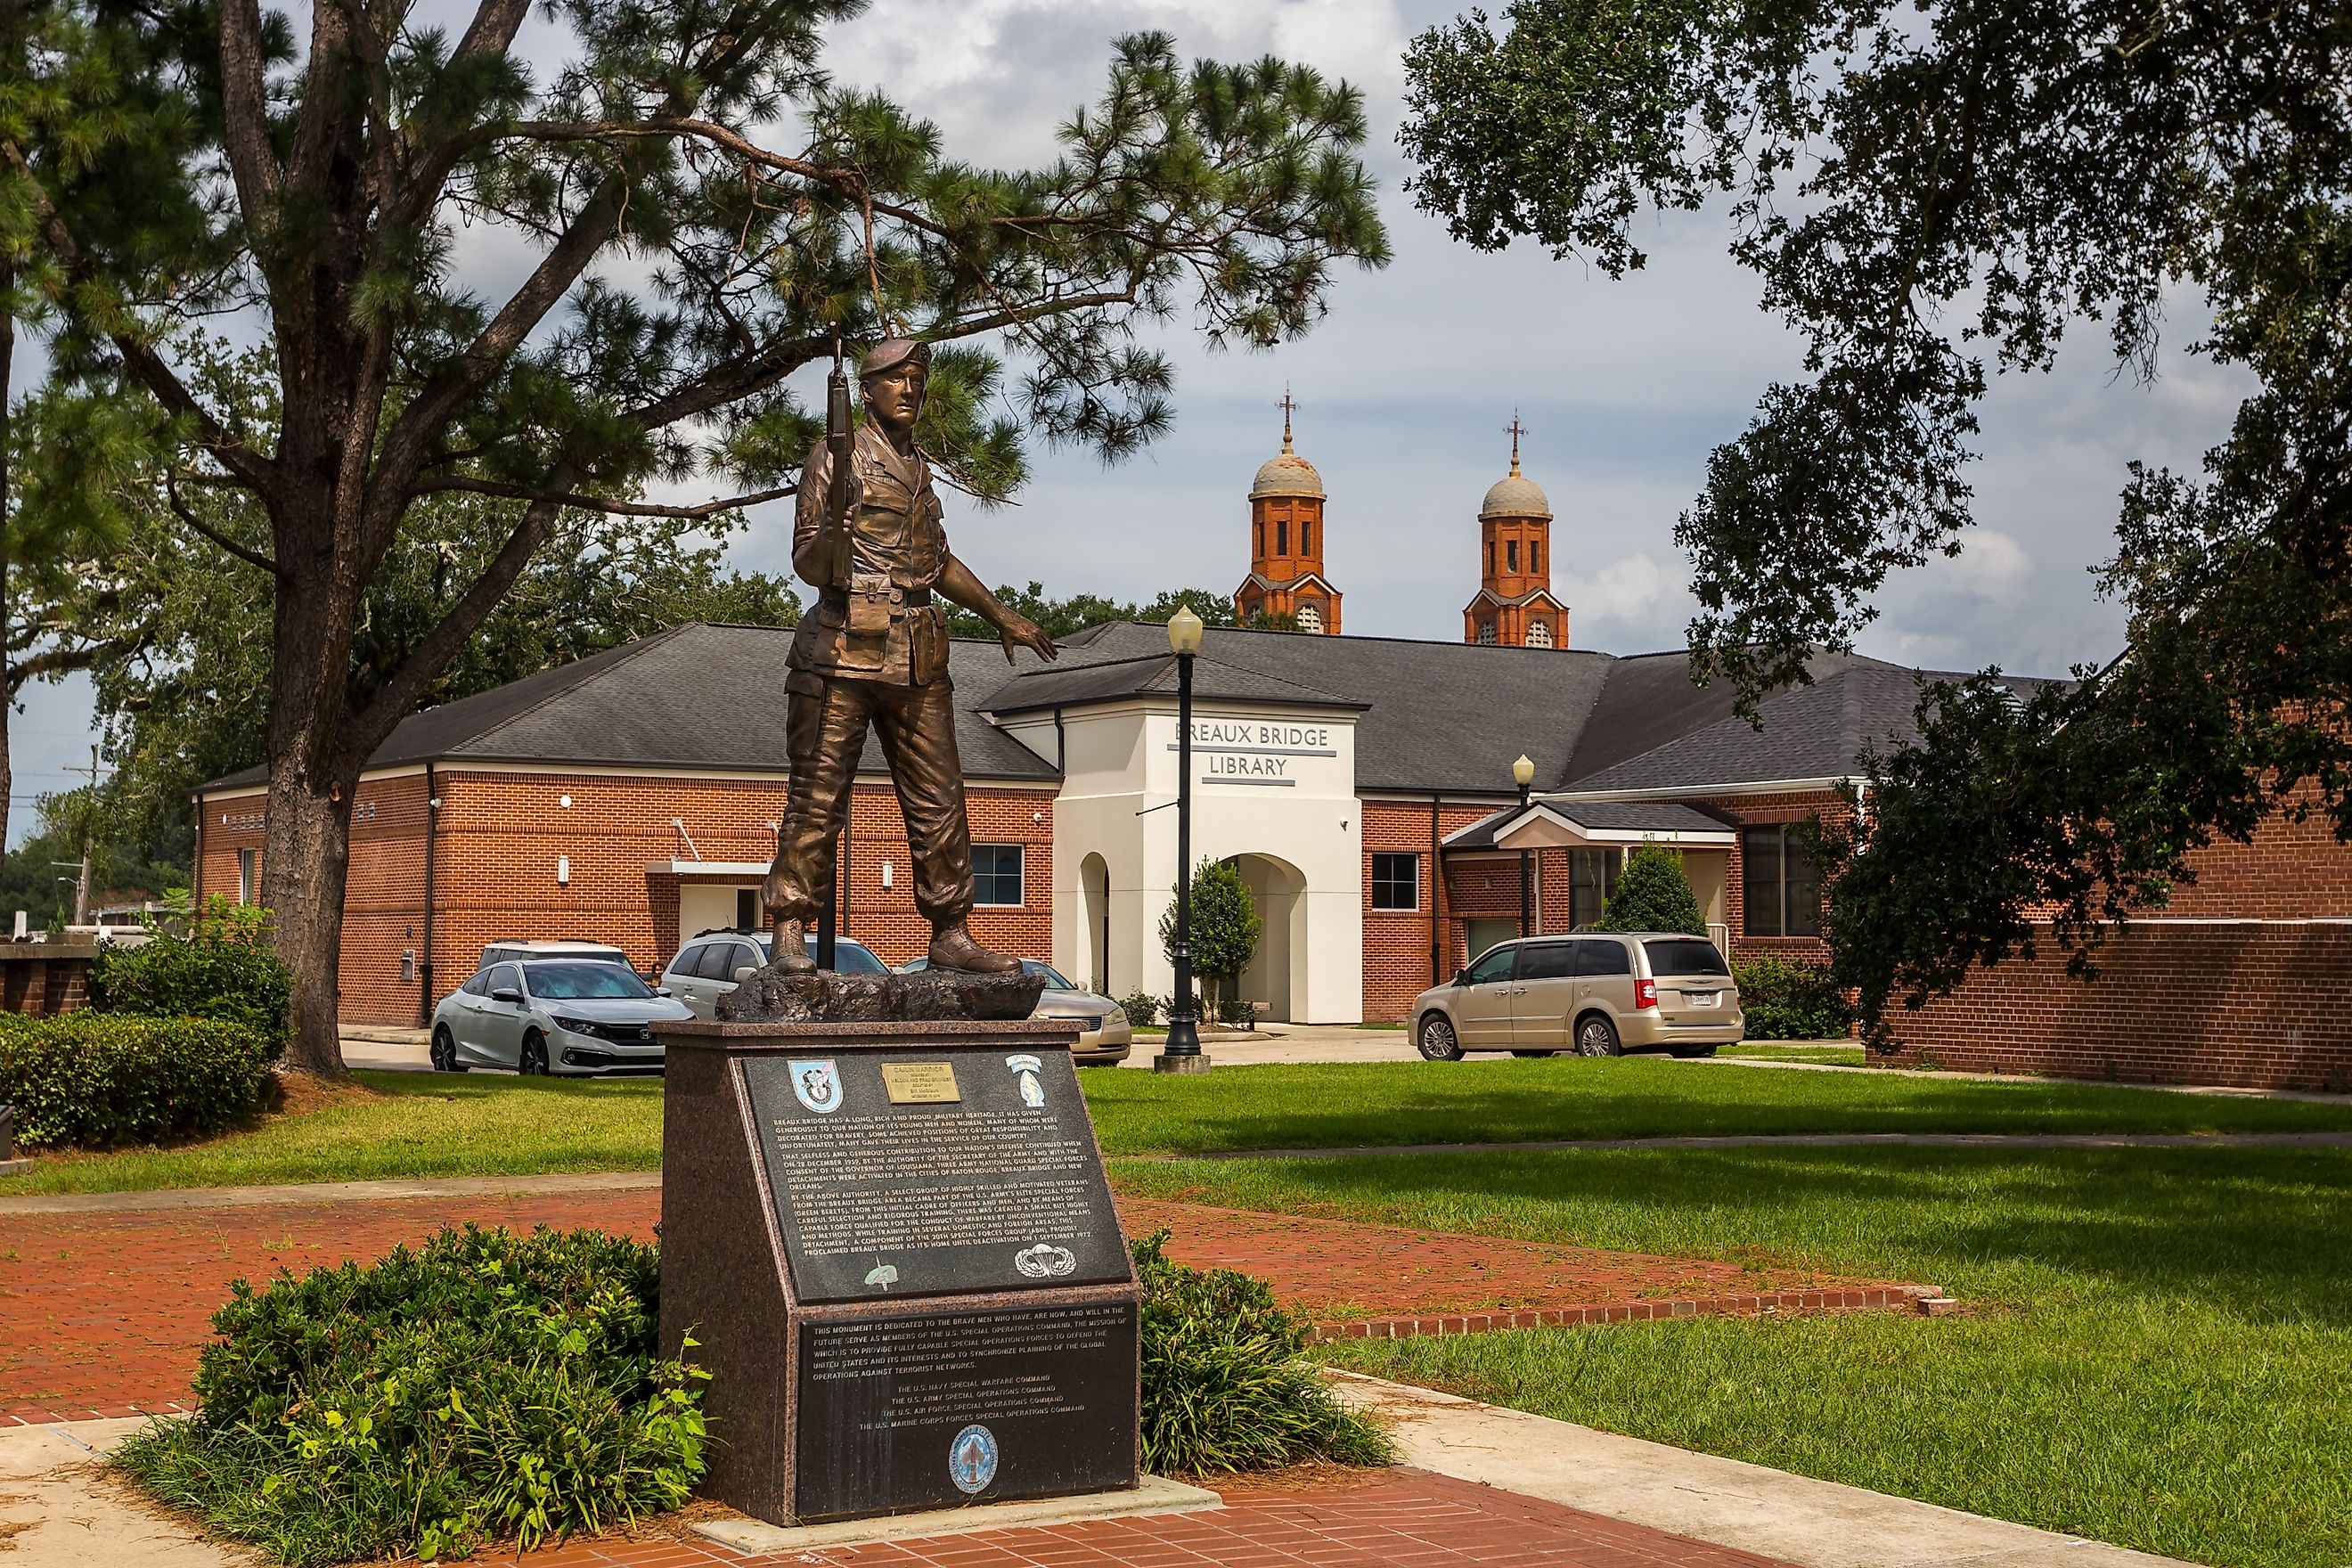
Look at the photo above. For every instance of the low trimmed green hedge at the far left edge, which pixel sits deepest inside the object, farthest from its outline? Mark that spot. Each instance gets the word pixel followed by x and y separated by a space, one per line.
pixel 98 1080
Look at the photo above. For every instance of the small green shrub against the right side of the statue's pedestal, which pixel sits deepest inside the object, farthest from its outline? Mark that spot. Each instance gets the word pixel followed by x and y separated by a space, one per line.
pixel 1224 1381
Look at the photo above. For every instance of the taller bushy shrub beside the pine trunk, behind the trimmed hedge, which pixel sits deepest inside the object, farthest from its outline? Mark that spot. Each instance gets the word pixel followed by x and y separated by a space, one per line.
pixel 220 970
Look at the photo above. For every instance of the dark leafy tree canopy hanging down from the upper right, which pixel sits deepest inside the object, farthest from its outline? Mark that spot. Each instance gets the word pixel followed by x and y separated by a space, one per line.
pixel 1932 194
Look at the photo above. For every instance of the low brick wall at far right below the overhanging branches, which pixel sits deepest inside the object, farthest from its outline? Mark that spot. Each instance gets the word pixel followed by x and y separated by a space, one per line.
pixel 2243 1005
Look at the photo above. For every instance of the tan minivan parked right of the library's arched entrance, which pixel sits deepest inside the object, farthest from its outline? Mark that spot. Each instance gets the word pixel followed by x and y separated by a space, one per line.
pixel 1593 996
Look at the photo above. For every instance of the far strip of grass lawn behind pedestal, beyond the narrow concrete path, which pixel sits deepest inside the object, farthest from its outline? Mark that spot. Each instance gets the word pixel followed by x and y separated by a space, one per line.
pixel 457 1125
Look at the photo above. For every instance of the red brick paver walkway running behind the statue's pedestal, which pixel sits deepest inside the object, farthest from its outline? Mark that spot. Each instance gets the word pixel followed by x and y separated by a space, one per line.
pixel 105 1313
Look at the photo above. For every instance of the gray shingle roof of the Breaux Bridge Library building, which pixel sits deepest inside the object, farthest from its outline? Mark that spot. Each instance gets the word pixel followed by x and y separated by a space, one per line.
pixel 1434 716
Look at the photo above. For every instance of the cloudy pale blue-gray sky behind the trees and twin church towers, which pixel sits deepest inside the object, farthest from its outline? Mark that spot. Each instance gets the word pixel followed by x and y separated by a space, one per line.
pixel 1408 387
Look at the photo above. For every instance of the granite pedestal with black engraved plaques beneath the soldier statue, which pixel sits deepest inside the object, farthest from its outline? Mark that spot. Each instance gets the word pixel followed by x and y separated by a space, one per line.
pixel 897 1254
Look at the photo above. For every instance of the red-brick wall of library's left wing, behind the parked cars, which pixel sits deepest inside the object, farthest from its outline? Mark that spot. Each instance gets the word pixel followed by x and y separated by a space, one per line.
pixel 497 869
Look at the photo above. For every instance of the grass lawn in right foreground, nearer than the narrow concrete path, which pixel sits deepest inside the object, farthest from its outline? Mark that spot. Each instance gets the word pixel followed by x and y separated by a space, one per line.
pixel 2158 1346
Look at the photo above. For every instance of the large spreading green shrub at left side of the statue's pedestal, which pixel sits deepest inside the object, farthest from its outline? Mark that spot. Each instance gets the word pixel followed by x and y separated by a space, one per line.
pixel 483 1388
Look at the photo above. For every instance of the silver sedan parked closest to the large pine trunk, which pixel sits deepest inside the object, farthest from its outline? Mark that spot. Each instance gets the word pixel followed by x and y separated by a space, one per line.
pixel 554 1017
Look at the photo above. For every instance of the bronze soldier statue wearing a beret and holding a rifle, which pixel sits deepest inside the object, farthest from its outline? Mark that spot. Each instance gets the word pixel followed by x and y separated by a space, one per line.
pixel 874 652
